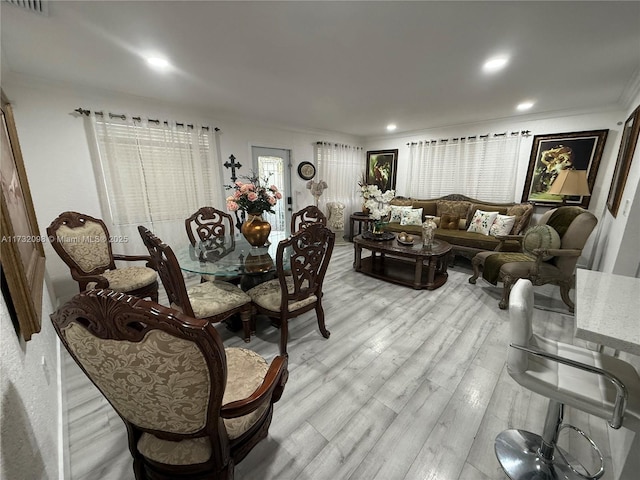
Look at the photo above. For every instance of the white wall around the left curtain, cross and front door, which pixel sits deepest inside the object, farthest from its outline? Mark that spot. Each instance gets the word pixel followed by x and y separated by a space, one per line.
pixel 59 167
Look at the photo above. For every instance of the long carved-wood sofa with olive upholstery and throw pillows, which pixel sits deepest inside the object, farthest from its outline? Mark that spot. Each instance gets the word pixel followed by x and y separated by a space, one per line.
pixel 453 216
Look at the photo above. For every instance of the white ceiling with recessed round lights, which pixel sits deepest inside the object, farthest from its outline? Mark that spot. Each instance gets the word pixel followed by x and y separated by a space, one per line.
pixel 350 67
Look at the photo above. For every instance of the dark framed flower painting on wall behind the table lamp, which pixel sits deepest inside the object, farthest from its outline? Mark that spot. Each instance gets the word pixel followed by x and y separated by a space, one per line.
pixel 553 153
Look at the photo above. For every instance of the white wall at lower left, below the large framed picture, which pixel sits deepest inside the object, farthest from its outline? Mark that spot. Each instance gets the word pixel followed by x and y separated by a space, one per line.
pixel 29 432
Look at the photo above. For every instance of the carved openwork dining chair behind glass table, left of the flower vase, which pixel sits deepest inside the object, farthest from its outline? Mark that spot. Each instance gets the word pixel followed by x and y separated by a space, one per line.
pixel 214 230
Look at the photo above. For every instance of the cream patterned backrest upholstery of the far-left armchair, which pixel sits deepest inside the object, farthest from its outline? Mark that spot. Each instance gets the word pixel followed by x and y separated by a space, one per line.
pixel 86 245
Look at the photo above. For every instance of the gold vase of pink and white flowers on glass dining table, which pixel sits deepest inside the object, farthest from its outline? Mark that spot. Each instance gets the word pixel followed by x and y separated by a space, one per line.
pixel 255 199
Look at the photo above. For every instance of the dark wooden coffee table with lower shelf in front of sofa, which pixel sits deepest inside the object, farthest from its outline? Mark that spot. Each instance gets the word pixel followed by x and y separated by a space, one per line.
pixel 410 265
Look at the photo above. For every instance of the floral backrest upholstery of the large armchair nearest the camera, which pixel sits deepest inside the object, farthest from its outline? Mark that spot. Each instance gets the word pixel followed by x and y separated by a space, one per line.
pixel 130 376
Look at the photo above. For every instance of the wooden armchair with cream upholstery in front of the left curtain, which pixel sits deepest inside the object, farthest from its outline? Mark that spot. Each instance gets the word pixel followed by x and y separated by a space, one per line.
pixel 84 244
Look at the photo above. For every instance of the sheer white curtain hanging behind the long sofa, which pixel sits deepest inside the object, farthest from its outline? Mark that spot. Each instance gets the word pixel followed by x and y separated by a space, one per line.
pixel 480 167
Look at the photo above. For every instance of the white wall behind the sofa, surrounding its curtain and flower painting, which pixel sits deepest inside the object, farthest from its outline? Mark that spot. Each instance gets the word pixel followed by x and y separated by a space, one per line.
pixel 593 120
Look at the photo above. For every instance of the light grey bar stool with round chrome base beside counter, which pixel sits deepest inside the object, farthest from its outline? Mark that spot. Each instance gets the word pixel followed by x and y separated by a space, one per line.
pixel 595 383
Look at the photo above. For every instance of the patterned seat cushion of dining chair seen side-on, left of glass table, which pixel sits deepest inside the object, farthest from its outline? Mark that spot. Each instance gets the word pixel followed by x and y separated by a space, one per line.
pixel 212 298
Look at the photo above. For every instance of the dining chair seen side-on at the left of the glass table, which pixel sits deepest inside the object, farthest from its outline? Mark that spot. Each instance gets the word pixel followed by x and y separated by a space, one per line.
pixel 212 301
